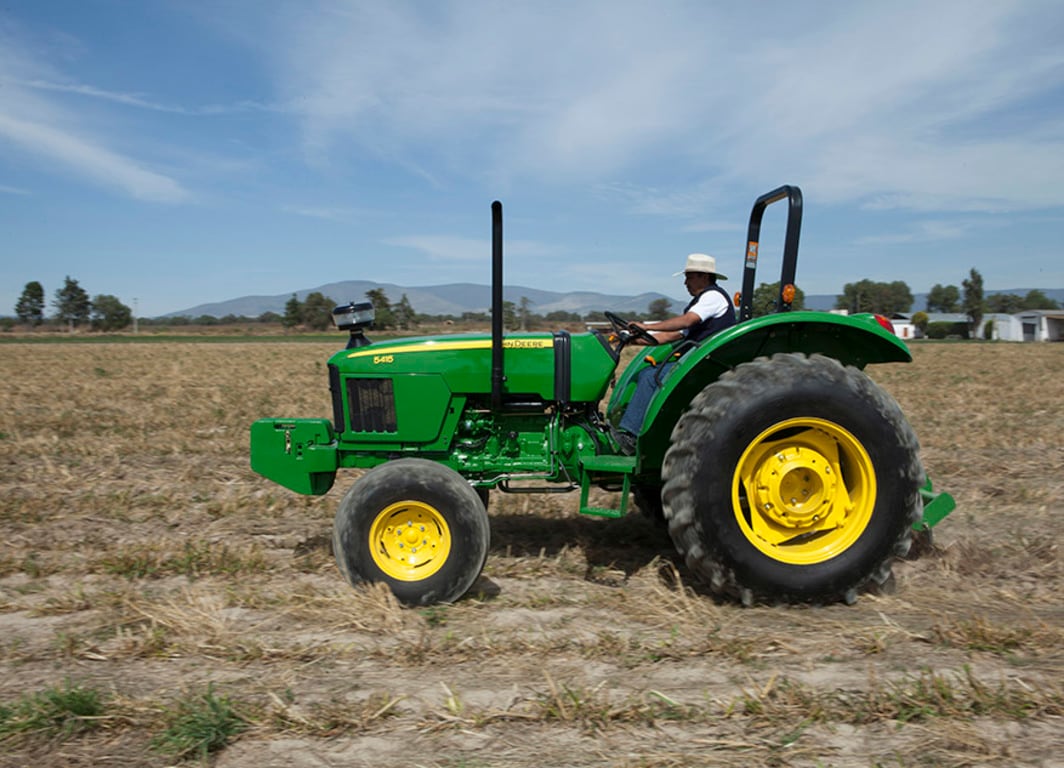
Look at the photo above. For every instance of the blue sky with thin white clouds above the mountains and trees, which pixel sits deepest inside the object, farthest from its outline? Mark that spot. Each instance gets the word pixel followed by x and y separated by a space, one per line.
pixel 179 153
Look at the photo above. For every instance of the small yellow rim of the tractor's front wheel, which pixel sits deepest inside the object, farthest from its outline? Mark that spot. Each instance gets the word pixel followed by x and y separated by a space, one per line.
pixel 410 541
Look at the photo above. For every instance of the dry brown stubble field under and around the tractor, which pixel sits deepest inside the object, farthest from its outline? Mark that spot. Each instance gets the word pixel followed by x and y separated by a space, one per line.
pixel 143 562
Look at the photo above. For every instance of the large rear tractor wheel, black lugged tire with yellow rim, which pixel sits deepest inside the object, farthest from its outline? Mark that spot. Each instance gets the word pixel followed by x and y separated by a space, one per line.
pixel 793 479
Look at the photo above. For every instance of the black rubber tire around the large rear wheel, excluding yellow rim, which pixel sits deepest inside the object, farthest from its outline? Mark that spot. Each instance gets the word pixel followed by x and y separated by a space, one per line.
pixel 728 430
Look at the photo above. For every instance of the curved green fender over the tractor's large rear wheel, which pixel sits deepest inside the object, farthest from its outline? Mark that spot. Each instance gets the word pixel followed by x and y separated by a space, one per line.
pixel 855 341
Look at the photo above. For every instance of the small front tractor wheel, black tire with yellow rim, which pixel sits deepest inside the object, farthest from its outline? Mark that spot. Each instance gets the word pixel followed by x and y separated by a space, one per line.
pixel 418 527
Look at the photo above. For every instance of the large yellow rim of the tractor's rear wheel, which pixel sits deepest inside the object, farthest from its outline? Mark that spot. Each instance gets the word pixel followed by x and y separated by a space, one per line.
pixel 804 491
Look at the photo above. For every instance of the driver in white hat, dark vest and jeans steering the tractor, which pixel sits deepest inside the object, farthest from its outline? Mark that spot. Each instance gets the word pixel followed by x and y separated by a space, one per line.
pixel 709 312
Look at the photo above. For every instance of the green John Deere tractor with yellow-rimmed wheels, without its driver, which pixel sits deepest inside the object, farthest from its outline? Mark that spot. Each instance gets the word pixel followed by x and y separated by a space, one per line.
pixel 783 472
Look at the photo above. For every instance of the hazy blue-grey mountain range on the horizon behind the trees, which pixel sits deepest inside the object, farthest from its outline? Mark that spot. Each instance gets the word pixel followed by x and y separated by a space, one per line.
pixel 458 298
